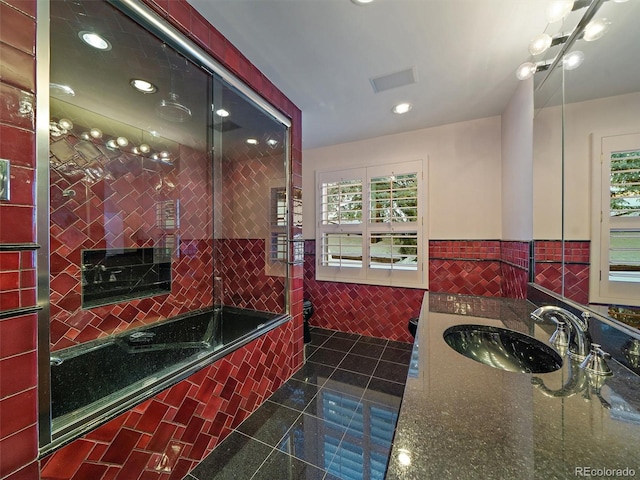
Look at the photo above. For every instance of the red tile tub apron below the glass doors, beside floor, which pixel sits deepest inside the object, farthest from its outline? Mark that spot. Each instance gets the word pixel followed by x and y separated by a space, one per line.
pixel 166 436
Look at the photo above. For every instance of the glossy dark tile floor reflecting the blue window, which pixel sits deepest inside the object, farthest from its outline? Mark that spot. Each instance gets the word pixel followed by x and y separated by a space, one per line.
pixel 334 419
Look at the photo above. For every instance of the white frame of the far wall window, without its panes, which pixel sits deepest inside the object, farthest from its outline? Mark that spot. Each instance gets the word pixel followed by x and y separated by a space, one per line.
pixel 366 273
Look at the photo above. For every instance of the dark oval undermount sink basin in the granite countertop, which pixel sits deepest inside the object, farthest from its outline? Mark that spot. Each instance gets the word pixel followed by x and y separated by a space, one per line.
pixel 501 348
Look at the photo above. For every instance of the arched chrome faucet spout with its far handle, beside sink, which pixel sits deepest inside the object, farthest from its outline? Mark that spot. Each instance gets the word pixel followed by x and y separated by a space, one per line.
pixel 579 340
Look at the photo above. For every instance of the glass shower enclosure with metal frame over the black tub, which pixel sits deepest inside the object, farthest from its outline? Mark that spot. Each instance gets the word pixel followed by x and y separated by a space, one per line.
pixel 167 213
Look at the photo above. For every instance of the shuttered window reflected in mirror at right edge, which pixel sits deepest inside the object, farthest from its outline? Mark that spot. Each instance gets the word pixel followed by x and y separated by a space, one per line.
pixel 615 268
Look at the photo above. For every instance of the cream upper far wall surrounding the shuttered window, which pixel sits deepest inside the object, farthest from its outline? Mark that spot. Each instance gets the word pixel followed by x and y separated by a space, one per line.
pixel 464 174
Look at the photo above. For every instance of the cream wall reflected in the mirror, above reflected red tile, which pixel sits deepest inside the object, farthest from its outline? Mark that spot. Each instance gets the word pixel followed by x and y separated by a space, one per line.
pixel 610 115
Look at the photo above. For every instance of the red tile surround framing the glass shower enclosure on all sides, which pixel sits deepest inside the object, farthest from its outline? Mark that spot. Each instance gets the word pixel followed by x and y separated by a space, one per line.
pixel 163 437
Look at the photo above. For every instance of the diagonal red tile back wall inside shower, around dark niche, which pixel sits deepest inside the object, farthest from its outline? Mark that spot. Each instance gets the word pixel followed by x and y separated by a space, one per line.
pixel 134 187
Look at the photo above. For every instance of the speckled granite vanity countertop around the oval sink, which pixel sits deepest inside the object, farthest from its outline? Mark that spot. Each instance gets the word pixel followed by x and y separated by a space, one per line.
pixel 461 419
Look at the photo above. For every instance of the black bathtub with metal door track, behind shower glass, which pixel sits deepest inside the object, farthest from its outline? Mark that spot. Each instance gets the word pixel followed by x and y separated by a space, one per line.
pixel 94 382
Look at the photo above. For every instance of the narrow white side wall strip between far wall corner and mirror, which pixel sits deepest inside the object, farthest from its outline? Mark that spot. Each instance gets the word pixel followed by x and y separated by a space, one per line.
pixel 517 164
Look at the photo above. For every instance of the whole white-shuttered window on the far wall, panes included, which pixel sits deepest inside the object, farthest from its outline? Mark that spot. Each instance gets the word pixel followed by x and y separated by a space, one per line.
pixel 370 227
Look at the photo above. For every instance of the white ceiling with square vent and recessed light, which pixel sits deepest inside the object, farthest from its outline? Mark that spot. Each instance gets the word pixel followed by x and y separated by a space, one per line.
pixel 323 53
